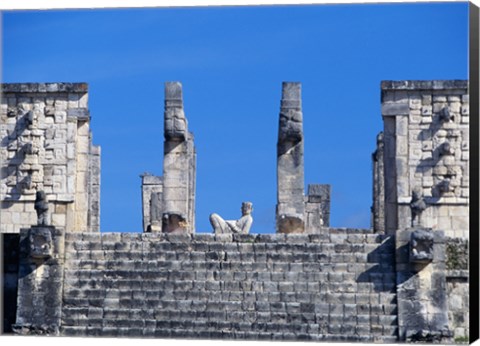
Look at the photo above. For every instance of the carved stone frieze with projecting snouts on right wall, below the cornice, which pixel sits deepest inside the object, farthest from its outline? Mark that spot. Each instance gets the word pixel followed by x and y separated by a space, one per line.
pixel 437 164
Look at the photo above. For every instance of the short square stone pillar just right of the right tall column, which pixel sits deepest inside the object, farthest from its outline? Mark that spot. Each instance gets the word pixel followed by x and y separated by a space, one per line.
pixel 317 207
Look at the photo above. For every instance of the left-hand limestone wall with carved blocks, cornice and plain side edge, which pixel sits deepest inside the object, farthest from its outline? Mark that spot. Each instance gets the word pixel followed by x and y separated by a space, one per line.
pixel 46 145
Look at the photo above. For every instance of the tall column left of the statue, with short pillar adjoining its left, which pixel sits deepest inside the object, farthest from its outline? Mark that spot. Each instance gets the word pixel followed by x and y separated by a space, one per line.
pixel 169 201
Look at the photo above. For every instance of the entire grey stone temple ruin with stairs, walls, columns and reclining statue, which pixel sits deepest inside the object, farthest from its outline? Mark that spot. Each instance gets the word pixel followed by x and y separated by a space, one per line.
pixel 403 279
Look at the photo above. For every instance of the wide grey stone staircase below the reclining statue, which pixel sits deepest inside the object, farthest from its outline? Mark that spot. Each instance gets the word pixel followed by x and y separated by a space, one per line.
pixel 335 285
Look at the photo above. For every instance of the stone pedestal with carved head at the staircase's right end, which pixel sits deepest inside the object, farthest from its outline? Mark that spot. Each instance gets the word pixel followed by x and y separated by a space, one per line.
pixel 421 286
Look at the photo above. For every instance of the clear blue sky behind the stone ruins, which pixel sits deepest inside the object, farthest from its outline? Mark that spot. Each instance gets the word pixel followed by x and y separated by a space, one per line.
pixel 231 62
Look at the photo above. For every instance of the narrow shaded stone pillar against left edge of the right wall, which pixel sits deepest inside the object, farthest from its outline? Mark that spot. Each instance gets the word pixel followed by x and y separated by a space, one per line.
pixel 378 207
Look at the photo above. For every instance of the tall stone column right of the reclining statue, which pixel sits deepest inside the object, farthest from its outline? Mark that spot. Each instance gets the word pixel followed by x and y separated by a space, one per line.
pixel 290 174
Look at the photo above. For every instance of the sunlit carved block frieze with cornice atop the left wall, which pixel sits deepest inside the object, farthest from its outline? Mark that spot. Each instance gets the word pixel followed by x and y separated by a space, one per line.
pixel 38 131
